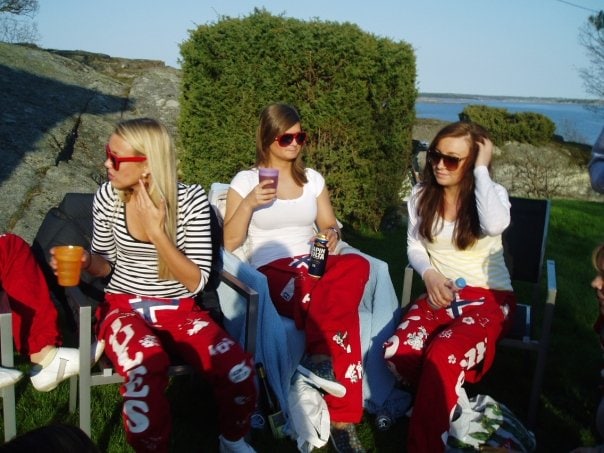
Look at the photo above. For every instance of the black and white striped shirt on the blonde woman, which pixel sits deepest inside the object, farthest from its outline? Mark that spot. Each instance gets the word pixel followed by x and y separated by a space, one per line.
pixel 135 262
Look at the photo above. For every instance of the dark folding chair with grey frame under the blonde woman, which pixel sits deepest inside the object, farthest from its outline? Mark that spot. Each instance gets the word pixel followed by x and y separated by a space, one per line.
pixel 71 223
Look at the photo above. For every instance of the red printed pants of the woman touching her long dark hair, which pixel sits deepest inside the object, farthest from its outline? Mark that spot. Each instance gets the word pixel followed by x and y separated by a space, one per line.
pixel 436 352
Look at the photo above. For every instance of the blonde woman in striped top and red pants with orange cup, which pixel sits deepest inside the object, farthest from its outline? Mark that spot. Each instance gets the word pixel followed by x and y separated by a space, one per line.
pixel 152 239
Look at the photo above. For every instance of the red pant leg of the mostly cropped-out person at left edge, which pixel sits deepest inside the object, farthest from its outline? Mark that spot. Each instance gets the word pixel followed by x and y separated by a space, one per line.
pixel 34 314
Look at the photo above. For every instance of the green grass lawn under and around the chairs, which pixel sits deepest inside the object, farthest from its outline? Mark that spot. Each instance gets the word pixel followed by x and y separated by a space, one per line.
pixel 568 401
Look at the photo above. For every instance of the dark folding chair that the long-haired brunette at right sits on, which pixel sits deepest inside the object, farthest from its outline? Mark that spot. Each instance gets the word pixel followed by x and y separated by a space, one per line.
pixel 524 245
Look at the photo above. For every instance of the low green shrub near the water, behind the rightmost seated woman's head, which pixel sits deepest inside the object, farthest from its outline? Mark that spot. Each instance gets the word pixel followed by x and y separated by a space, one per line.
pixel 523 127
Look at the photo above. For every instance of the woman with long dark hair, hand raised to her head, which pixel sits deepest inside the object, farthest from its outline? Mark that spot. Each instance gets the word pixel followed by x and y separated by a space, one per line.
pixel 456 217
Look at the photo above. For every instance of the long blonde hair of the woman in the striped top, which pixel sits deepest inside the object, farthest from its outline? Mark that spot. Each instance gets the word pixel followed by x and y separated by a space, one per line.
pixel 150 138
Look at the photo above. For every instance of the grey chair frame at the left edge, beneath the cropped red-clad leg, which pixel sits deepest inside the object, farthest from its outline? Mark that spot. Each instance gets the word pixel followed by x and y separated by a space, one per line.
pixel 8 361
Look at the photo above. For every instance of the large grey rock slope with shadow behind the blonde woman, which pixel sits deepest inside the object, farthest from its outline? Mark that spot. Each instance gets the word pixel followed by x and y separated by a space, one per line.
pixel 58 110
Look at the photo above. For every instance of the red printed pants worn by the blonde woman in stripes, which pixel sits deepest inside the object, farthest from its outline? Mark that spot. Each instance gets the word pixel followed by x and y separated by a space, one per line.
pixel 138 343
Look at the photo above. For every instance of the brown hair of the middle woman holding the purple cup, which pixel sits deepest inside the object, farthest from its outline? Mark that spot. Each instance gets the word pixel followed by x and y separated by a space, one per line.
pixel 275 119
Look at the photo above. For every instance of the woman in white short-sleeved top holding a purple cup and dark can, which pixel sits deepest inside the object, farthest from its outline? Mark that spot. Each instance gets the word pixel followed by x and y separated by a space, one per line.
pixel 278 221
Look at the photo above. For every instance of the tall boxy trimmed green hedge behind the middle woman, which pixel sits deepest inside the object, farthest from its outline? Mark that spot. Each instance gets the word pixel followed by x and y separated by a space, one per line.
pixel 355 92
